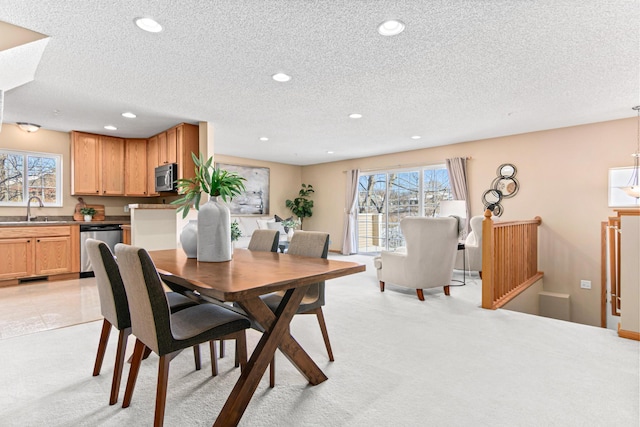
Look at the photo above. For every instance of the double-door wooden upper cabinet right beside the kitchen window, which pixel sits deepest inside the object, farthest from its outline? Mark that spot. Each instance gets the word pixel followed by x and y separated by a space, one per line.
pixel 97 165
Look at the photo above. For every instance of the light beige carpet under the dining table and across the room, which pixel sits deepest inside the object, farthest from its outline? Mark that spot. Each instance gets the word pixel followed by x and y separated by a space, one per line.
pixel 399 362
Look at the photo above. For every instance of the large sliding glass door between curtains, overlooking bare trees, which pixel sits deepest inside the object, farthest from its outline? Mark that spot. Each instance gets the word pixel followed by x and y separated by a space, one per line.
pixel 385 198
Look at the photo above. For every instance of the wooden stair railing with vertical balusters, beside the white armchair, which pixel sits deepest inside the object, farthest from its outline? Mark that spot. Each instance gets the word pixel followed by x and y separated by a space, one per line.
pixel 509 259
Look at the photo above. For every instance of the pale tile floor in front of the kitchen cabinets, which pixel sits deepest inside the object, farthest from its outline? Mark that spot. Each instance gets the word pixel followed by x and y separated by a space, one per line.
pixel 42 305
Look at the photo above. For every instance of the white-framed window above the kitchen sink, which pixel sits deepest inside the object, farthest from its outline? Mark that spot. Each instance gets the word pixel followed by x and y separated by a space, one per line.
pixel 24 174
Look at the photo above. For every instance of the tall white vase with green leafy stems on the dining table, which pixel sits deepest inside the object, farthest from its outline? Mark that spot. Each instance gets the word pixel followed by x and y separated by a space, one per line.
pixel 214 220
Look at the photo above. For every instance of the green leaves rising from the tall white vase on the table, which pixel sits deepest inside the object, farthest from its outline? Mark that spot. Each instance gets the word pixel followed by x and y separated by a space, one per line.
pixel 214 181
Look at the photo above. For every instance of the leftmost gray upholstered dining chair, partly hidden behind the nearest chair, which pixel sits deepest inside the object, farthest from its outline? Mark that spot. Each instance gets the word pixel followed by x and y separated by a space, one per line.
pixel 115 310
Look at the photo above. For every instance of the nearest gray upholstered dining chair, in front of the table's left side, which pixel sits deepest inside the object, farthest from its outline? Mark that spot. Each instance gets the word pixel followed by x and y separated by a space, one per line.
pixel 166 333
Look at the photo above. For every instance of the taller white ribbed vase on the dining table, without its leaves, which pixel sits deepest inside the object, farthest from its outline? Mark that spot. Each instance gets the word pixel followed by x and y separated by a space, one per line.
pixel 214 232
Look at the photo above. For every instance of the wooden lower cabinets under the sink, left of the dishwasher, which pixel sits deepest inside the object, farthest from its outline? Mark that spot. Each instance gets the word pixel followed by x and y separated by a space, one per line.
pixel 27 252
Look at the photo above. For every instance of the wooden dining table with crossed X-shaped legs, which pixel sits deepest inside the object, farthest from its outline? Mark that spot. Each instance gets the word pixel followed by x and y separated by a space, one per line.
pixel 243 280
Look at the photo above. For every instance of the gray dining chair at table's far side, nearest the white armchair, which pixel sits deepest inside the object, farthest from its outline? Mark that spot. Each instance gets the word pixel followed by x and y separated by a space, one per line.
pixel 311 244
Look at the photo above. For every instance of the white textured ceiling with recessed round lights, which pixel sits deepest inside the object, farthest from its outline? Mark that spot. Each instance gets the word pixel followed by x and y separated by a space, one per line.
pixel 461 70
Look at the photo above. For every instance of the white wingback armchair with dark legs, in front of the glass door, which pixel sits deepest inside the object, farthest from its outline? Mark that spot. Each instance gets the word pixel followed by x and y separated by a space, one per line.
pixel 429 257
